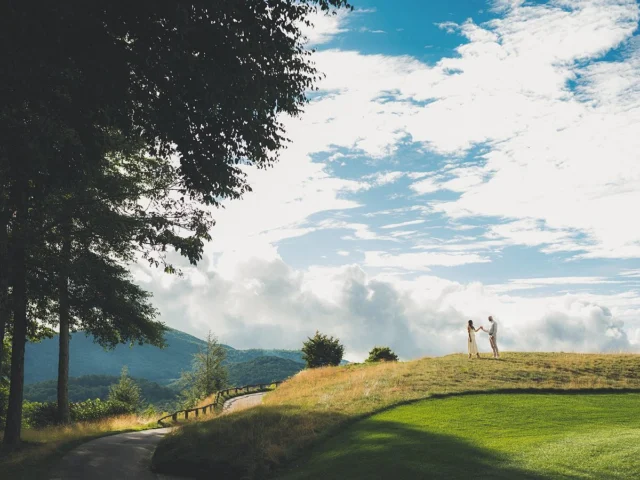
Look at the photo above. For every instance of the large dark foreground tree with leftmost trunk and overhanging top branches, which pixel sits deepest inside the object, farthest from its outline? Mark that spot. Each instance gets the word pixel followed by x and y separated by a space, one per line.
pixel 204 82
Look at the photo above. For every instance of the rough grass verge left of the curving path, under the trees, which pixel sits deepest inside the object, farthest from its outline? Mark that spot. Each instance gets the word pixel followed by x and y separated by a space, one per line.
pixel 42 448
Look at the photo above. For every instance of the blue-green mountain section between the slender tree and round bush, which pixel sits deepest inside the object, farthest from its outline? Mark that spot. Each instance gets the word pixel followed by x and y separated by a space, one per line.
pixel 262 370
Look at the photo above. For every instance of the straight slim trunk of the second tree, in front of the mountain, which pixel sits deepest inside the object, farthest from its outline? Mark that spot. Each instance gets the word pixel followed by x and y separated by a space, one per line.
pixel 63 301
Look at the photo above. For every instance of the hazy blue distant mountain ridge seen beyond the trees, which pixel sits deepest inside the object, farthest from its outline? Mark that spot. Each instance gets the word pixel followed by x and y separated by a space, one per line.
pixel 158 365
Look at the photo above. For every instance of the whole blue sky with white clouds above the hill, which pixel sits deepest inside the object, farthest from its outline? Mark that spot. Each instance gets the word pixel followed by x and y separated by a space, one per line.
pixel 460 159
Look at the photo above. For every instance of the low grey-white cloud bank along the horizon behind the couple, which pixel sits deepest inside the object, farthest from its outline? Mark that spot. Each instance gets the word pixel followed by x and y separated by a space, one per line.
pixel 270 305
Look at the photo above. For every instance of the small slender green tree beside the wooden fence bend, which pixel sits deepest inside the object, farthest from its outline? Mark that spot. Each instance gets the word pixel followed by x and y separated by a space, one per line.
pixel 208 374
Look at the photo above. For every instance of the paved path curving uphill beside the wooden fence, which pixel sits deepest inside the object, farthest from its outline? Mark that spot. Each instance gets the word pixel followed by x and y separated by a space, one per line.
pixel 126 456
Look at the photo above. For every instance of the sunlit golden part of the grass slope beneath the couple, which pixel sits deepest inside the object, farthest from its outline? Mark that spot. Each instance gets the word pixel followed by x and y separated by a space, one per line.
pixel 362 389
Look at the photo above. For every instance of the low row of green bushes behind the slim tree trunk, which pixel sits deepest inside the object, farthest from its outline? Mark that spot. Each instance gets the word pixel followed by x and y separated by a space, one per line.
pixel 43 414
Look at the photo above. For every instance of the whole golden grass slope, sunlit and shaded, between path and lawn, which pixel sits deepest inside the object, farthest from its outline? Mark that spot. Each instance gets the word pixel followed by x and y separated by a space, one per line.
pixel 316 402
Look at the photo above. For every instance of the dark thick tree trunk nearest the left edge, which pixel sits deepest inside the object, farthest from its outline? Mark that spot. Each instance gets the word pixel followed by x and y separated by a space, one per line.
pixel 19 301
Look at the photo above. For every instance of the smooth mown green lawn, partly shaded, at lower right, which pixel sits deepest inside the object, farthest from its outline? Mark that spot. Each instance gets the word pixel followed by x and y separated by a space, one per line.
pixel 528 436
